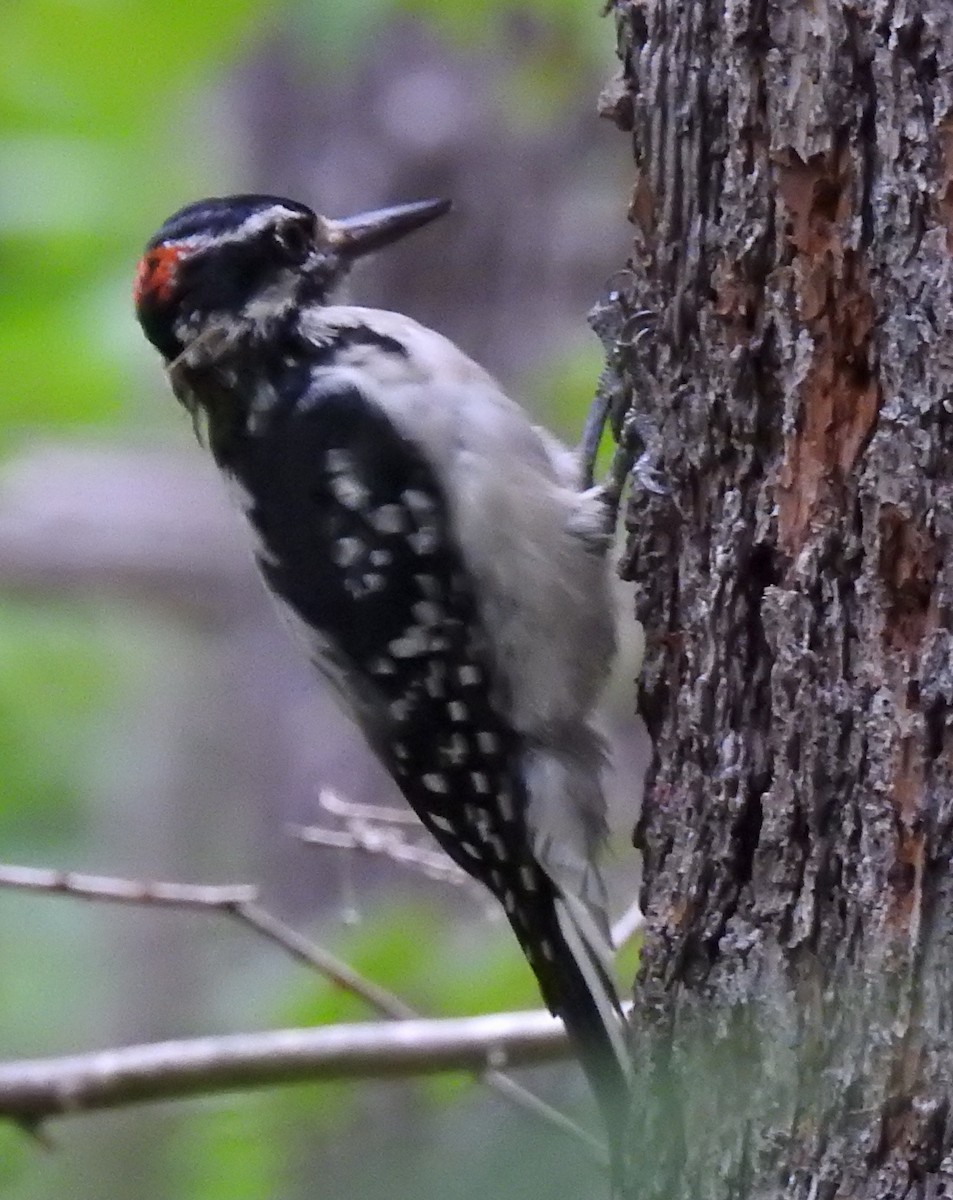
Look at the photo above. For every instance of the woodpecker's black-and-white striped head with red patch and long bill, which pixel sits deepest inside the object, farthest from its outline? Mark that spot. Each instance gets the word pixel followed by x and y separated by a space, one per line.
pixel 238 265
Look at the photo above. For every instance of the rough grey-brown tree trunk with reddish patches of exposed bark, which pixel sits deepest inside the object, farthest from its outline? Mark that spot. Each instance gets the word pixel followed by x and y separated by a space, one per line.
pixel 794 217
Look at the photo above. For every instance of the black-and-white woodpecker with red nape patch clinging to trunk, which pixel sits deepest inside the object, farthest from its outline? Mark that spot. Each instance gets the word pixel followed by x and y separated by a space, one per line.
pixel 434 550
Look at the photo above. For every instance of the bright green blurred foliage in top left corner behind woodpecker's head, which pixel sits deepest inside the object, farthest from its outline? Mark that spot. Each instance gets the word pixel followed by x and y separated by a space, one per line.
pixel 89 93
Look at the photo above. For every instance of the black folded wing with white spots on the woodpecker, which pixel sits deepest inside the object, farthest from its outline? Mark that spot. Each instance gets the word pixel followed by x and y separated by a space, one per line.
pixel 355 537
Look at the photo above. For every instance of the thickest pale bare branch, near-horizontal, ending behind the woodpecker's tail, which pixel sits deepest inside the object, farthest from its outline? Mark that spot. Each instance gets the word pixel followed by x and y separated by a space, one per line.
pixel 37 1089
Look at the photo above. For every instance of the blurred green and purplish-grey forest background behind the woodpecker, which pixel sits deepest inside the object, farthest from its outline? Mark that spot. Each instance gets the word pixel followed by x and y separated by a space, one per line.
pixel 154 722
